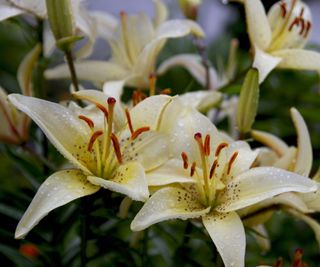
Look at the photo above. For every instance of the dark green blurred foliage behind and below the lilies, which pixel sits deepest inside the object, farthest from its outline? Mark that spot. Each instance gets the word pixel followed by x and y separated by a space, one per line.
pixel 110 242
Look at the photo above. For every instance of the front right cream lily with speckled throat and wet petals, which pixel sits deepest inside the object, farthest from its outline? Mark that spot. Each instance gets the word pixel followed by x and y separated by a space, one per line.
pixel 215 182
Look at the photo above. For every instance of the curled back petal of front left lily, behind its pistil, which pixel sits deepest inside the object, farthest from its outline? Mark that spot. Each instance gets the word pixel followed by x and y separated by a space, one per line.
pixel 97 97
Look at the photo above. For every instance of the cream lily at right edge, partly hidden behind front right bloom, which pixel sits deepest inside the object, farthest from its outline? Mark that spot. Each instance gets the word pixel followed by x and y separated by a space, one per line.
pixel 297 159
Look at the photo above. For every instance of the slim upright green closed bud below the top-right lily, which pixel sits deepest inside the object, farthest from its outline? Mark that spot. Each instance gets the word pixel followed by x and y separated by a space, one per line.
pixel 248 101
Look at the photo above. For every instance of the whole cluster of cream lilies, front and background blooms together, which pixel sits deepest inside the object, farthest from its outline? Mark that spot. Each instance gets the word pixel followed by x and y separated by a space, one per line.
pixel 160 149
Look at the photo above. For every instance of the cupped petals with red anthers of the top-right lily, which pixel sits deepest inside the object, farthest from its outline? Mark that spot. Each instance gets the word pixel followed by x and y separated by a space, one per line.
pixel 290 22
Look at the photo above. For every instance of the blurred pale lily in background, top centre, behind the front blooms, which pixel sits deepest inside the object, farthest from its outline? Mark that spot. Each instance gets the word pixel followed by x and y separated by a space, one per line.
pixel 135 43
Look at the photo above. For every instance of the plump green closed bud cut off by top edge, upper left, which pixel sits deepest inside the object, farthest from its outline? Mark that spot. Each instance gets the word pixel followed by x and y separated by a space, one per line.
pixel 61 21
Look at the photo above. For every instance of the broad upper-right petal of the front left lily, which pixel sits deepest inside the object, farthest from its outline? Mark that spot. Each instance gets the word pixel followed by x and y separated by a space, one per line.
pixel 149 112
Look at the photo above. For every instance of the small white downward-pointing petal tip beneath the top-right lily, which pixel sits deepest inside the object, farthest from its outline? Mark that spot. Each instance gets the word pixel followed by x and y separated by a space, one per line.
pixel 264 62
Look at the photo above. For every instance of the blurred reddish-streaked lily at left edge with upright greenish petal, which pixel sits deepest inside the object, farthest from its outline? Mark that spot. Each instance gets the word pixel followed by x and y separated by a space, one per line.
pixel 14 124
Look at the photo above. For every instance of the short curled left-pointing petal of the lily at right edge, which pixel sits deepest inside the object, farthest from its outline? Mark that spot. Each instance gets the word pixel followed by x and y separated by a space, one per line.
pixel 271 141
